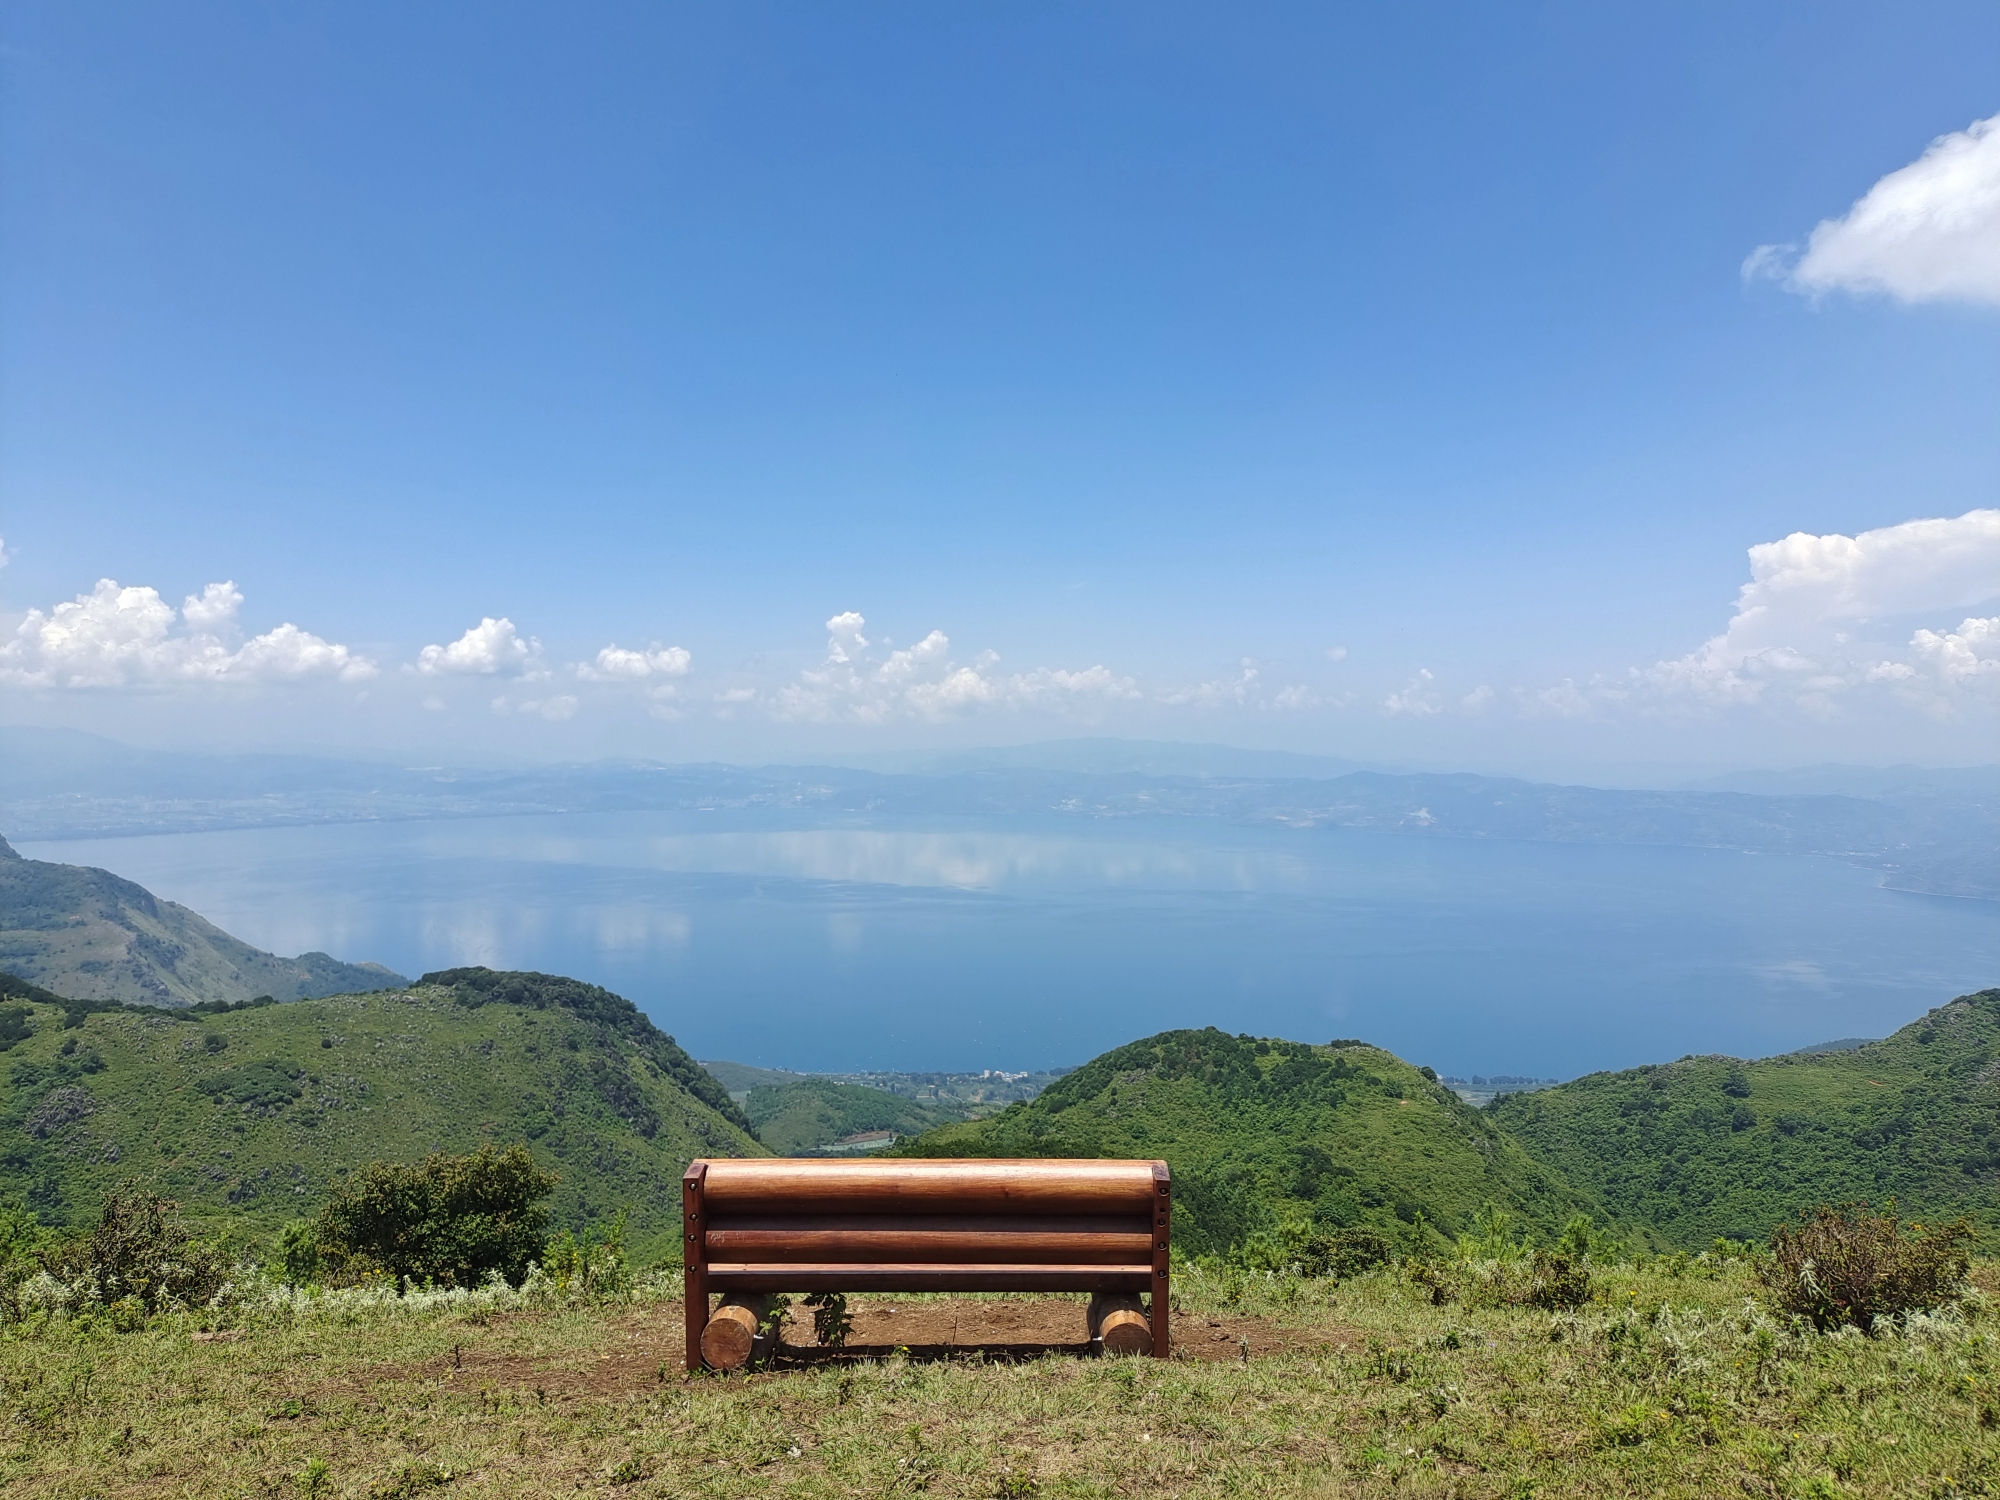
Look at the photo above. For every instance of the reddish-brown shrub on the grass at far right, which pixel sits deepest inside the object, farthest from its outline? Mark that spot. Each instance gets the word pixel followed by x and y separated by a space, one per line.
pixel 1853 1267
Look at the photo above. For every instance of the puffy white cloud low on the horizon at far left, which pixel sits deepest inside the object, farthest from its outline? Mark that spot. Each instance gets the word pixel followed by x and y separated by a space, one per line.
pixel 131 637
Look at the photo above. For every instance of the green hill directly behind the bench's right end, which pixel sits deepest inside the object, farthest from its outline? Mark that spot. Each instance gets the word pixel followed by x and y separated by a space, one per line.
pixel 1263 1131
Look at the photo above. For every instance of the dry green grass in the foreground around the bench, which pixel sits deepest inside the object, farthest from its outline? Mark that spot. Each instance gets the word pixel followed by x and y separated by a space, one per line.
pixel 1671 1385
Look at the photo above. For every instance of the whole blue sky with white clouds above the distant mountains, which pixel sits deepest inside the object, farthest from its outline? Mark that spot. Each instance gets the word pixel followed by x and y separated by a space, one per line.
pixel 1373 381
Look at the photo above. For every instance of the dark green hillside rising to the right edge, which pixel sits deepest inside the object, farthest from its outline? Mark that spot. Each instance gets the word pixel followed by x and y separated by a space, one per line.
pixel 1711 1147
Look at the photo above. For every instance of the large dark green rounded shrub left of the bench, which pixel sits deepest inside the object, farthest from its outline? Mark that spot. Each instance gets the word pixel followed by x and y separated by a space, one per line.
pixel 447 1221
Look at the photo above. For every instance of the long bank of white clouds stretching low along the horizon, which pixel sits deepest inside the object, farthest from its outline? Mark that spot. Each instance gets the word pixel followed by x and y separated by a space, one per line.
pixel 1871 625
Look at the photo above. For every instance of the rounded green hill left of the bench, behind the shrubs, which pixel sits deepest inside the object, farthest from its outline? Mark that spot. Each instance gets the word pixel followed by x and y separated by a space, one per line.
pixel 251 1117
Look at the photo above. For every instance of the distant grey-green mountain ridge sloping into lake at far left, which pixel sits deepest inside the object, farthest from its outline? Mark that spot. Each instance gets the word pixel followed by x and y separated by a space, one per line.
pixel 91 935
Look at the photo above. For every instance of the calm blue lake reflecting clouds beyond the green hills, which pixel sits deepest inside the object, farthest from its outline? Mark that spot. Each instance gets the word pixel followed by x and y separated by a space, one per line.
pixel 1029 943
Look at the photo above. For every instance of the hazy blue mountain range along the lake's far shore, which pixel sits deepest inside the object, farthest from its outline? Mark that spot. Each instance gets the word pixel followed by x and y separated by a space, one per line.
pixel 1927 831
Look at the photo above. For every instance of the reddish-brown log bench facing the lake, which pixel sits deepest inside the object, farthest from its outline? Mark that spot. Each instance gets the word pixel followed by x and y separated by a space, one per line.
pixel 759 1227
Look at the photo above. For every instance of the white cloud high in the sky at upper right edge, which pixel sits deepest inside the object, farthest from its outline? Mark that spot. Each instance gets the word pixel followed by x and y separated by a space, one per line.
pixel 1927 233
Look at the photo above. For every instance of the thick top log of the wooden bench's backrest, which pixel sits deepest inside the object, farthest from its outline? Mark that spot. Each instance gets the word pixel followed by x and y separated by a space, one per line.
pixel 969 1187
